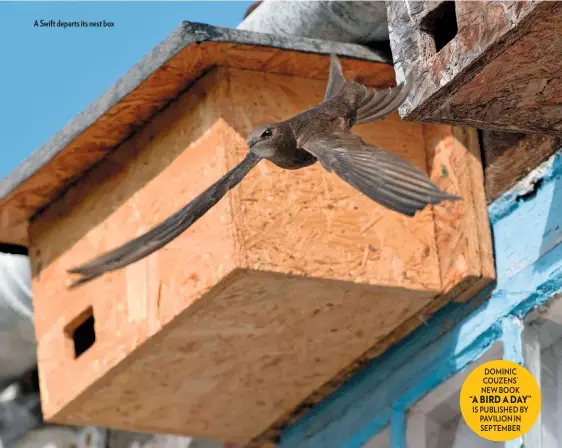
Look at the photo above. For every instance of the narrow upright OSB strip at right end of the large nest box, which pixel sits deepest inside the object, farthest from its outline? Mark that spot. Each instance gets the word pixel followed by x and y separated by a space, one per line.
pixel 462 229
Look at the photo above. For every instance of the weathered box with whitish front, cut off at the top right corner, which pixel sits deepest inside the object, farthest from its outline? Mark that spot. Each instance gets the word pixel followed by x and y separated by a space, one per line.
pixel 501 71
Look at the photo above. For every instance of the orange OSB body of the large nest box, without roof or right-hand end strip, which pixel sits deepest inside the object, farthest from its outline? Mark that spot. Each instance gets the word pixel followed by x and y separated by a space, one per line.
pixel 280 293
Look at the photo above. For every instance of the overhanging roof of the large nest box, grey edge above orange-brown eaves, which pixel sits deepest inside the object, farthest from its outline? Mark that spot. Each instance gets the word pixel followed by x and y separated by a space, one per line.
pixel 157 79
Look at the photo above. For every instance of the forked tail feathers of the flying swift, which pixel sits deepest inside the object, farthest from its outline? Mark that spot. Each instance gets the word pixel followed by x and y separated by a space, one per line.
pixel 375 104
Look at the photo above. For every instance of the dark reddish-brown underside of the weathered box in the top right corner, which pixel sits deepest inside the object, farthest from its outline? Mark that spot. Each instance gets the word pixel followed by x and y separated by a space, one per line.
pixel 521 89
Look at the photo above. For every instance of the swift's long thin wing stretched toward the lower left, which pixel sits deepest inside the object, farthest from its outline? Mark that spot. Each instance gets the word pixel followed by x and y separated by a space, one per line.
pixel 166 231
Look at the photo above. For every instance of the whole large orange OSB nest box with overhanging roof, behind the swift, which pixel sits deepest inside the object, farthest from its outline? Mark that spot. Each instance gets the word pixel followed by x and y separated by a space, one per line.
pixel 274 296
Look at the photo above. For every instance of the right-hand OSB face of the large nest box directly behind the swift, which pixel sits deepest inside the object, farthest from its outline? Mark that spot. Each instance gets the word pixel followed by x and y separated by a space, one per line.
pixel 311 222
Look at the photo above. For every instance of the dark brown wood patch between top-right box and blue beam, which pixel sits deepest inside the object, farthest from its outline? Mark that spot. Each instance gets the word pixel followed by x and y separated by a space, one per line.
pixel 511 156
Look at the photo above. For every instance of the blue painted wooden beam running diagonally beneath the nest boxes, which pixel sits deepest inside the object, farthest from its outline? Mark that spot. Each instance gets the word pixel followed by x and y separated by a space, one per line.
pixel 527 232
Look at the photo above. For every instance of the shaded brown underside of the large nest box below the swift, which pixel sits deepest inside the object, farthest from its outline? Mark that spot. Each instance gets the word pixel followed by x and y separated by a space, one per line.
pixel 227 368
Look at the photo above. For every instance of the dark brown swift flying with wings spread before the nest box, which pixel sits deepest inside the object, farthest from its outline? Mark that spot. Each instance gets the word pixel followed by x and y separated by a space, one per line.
pixel 322 134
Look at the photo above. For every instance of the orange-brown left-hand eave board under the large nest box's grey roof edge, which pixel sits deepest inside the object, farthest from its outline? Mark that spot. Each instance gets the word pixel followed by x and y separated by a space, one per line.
pixel 92 144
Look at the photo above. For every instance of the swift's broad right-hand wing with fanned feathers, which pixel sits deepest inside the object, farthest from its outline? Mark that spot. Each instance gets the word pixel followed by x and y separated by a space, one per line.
pixel 383 176
